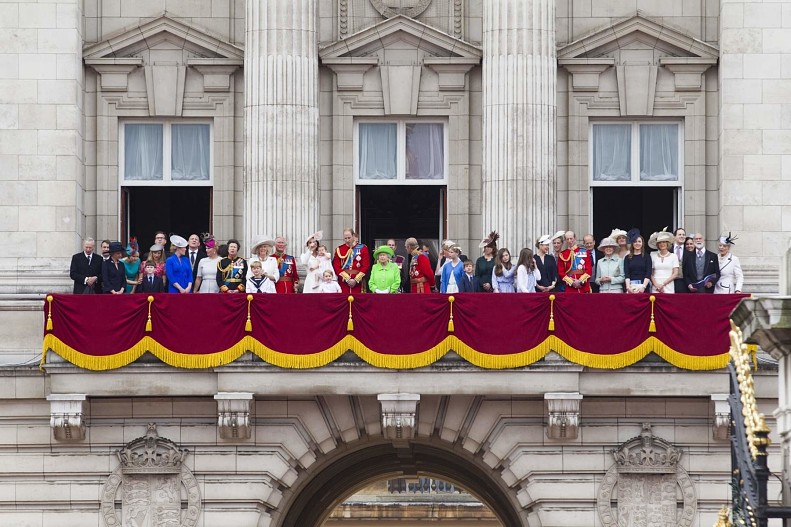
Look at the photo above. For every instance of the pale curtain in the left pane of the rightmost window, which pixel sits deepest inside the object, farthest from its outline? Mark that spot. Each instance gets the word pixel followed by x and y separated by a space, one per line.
pixel 612 146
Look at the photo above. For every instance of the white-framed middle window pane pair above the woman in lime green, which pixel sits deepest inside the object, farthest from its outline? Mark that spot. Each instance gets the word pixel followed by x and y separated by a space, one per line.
pixel 401 152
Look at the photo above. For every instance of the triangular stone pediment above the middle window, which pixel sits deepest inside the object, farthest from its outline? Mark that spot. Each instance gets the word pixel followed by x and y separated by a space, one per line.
pixel 400 29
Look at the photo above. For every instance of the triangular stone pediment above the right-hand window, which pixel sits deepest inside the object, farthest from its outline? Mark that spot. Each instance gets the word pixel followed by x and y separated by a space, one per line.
pixel 636 32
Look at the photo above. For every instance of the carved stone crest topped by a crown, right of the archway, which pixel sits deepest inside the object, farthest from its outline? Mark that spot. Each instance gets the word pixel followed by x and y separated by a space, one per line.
pixel 641 489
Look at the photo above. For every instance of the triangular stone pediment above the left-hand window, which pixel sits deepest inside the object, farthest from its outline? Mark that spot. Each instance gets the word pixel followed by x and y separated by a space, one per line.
pixel 161 33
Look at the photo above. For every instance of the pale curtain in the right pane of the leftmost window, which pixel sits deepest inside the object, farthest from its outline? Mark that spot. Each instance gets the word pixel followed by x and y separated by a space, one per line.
pixel 190 152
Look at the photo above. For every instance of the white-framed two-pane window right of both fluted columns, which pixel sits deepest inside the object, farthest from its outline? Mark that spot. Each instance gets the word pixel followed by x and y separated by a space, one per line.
pixel 636 153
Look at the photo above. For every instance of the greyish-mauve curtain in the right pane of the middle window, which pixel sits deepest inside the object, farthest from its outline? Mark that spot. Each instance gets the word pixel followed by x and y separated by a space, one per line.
pixel 425 151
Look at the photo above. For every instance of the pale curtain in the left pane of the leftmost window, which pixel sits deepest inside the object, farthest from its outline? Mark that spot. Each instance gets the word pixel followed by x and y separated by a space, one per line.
pixel 143 152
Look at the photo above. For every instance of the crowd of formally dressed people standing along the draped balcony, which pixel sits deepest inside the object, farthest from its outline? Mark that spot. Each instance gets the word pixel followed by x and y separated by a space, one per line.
pixel 621 263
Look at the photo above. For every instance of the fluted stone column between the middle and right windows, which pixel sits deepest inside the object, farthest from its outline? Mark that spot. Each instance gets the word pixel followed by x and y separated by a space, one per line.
pixel 519 119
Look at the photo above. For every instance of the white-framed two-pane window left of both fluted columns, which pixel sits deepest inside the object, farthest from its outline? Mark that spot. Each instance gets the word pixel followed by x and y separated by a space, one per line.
pixel 165 152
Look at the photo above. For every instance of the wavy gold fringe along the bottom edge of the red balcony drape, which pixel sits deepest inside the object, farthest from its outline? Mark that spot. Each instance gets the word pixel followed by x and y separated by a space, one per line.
pixel 380 360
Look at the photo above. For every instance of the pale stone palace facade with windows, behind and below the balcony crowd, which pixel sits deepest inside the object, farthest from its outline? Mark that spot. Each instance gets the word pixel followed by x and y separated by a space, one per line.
pixel 242 117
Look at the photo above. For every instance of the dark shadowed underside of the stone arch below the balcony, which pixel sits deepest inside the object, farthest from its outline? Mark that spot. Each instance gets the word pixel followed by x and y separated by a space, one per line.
pixel 319 496
